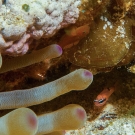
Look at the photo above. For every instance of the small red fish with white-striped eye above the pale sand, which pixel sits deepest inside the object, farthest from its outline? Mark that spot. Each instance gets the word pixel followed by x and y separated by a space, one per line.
pixel 103 96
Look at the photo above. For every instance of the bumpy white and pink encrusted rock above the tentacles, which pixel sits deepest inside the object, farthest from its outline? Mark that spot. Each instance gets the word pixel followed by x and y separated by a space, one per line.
pixel 20 21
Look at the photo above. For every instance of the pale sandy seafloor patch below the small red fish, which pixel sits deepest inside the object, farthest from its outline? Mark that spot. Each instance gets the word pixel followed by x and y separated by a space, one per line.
pixel 110 121
